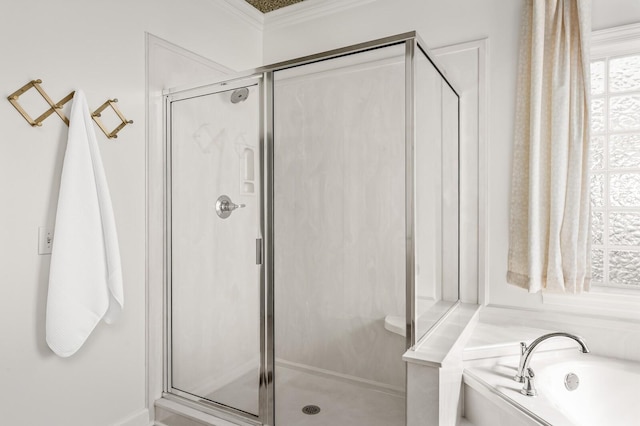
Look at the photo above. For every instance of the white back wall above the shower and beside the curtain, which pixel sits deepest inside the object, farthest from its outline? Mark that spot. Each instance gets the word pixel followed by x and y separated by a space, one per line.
pixel 444 23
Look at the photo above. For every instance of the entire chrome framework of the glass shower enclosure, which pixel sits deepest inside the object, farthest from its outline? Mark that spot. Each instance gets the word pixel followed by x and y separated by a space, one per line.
pixel 264 79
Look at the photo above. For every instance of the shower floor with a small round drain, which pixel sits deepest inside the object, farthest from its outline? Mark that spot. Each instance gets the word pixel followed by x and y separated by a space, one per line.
pixel 341 402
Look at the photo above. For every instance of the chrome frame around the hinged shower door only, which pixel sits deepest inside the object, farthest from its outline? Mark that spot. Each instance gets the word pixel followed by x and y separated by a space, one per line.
pixel 263 251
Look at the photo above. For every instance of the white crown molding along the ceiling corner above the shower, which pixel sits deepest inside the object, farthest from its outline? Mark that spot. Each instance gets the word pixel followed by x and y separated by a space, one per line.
pixel 299 12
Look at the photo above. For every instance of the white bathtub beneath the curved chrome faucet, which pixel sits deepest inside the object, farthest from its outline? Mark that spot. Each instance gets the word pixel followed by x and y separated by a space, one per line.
pixel 606 393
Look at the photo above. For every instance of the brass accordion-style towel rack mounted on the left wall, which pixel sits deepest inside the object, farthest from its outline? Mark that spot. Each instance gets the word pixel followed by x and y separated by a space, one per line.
pixel 57 108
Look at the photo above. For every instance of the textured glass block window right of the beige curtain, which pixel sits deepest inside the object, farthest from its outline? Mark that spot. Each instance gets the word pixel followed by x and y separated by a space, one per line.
pixel 615 171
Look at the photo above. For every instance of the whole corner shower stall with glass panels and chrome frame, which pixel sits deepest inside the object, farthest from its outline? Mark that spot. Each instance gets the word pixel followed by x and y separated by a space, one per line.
pixel 312 234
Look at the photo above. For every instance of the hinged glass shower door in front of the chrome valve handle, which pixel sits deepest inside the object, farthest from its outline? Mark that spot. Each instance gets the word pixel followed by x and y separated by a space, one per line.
pixel 215 328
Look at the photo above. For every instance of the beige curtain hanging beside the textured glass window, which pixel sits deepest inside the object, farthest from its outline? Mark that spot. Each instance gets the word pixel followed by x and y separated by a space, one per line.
pixel 549 241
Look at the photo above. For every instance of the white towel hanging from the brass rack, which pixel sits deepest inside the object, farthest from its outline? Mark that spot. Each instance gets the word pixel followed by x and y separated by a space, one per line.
pixel 85 280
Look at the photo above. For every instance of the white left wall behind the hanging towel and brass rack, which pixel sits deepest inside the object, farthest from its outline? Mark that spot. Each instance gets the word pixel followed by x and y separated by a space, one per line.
pixel 99 47
